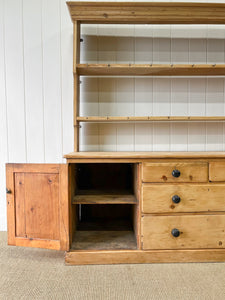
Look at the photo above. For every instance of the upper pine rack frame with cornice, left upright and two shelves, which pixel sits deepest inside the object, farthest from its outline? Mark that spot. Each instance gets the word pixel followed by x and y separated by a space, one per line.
pixel 140 13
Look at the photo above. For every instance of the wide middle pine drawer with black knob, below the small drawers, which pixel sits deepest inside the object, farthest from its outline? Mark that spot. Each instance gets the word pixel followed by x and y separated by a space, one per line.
pixel 158 198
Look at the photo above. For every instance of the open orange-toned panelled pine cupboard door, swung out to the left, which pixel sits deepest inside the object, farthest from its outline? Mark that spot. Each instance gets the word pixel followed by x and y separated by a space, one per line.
pixel 37 205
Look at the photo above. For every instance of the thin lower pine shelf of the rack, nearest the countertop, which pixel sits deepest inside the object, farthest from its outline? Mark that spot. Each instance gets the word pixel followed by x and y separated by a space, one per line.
pixel 152 119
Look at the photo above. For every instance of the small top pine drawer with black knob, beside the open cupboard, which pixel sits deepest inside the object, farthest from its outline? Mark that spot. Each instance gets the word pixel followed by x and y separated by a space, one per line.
pixel 175 172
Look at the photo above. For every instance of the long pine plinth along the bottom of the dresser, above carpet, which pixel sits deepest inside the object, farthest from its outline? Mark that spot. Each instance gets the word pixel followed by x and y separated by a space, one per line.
pixel 141 257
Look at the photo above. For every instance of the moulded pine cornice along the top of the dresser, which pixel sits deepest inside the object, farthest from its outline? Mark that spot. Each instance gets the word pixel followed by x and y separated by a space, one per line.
pixel 147 12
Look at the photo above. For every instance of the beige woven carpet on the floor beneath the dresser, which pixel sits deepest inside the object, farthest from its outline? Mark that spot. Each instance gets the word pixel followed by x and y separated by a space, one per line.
pixel 41 274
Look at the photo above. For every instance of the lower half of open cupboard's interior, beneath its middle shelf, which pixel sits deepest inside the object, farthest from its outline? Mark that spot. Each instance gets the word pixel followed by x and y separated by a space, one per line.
pixel 104 227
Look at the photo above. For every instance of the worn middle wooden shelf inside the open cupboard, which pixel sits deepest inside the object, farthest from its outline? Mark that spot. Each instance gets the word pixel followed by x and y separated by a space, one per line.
pixel 101 197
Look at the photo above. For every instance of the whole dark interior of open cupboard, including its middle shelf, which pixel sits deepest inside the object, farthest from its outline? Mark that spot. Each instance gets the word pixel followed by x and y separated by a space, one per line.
pixel 104 206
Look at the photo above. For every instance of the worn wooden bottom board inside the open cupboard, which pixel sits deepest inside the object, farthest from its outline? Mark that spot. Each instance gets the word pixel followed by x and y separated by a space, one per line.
pixel 104 240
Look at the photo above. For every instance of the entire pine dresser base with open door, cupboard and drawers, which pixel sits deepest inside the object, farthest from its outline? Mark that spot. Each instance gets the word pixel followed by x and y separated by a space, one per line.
pixel 173 218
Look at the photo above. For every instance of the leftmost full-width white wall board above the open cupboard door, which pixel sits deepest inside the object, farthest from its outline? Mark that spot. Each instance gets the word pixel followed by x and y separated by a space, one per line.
pixel 14 78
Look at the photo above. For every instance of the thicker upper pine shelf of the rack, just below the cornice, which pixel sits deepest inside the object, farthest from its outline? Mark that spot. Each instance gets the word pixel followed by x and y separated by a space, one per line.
pixel 150 70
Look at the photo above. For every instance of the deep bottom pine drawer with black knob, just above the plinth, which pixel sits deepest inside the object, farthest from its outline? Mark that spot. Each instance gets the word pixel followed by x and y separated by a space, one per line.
pixel 195 231
